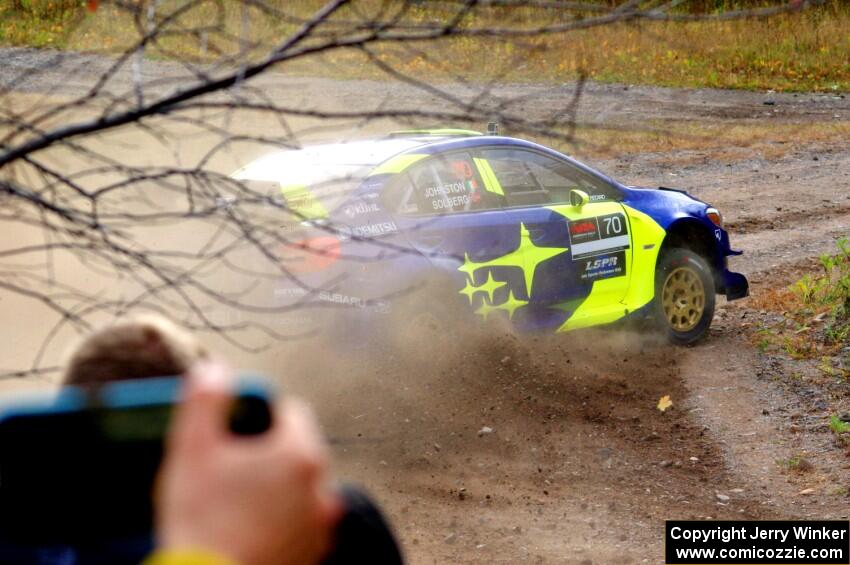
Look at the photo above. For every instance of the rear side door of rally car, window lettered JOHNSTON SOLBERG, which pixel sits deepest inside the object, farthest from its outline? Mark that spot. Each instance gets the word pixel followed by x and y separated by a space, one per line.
pixel 450 215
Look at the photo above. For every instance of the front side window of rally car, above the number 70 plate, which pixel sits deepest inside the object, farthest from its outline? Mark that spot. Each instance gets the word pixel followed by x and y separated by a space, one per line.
pixel 529 178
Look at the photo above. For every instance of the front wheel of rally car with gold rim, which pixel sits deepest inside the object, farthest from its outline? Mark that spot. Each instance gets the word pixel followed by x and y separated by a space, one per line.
pixel 684 296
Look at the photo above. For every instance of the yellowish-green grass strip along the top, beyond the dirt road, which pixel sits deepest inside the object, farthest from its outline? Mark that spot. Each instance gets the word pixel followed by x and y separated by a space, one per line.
pixel 795 52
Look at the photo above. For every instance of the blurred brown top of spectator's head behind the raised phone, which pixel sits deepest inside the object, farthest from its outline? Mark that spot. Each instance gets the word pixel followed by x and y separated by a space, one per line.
pixel 137 348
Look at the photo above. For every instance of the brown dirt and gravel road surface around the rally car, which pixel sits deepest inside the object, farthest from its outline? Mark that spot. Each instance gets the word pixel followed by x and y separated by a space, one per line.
pixel 550 449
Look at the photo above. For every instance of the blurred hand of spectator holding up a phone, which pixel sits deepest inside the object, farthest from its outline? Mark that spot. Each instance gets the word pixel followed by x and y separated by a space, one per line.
pixel 256 500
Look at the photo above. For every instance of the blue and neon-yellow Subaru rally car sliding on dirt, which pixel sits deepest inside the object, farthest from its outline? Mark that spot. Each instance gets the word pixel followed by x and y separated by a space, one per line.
pixel 505 227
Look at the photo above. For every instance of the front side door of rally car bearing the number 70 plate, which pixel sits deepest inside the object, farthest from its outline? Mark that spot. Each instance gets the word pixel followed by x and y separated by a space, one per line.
pixel 576 258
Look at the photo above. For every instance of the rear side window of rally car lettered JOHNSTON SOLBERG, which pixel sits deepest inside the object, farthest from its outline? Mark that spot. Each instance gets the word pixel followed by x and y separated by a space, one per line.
pixel 443 184
